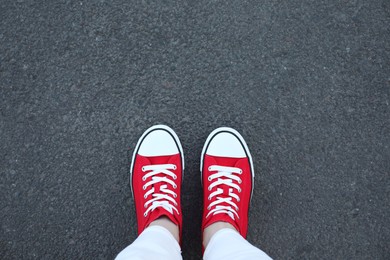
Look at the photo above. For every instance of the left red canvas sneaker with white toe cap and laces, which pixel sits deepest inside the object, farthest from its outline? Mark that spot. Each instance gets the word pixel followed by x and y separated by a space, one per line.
pixel 155 176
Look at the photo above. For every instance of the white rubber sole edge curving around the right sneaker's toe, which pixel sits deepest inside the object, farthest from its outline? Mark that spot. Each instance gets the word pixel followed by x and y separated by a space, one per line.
pixel 242 141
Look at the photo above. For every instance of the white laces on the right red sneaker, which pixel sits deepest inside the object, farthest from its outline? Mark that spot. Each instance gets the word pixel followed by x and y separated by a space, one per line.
pixel 224 176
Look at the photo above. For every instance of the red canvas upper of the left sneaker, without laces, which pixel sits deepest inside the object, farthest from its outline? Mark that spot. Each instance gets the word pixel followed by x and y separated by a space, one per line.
pixel 138 185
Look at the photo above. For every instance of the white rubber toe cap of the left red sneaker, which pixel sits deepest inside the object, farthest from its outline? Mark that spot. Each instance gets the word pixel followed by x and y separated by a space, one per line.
pixel 158 142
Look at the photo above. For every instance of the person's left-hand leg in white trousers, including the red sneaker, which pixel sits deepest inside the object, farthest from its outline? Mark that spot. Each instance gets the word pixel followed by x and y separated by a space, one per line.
pixel 155 179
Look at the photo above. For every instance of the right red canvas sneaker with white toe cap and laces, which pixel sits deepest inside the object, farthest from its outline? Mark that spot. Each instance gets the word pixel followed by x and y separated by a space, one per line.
pixel 227 178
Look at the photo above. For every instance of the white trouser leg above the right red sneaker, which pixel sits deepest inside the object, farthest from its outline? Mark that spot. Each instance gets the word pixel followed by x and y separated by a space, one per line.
pixel 228 244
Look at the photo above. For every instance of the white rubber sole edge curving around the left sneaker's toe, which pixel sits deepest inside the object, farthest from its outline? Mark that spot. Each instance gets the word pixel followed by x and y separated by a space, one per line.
pixel 149 130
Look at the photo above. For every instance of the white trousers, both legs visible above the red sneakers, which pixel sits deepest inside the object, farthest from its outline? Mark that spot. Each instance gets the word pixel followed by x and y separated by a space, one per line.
pixel 156 242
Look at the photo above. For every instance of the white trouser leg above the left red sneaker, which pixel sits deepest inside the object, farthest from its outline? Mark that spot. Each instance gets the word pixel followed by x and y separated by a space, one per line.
pixel 154 242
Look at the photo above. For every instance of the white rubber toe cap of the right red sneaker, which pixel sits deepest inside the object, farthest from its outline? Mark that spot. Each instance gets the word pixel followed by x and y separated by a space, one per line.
pixel 226 144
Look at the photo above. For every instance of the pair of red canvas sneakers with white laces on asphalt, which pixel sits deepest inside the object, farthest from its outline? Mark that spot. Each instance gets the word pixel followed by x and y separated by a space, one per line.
pixel 227 174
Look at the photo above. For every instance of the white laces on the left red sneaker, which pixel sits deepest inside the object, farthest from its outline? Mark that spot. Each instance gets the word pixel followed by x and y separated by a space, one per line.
pixel 160 198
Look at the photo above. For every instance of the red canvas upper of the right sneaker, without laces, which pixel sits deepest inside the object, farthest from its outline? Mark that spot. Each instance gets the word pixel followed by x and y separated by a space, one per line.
pixel 240 222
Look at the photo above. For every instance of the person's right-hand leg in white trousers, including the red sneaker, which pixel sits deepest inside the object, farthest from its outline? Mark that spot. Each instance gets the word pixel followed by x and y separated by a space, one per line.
pixel 227 178
